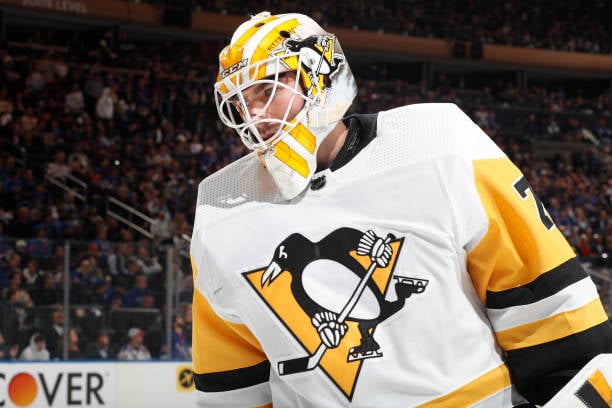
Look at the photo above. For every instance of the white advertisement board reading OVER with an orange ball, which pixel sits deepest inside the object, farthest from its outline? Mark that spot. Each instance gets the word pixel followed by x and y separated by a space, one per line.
pixel 96 384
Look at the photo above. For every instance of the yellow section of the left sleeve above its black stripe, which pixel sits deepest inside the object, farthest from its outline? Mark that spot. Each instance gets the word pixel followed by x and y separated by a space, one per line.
pixel 228 346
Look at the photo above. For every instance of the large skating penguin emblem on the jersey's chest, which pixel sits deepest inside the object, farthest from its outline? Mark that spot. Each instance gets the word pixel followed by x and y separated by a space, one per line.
pixel 331 295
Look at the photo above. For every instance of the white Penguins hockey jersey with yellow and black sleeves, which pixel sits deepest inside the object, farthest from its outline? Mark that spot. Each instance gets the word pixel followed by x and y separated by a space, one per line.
pixel 478 291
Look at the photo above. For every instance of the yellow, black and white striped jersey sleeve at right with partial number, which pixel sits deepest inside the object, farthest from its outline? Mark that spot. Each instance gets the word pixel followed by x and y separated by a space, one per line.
pixel 542 305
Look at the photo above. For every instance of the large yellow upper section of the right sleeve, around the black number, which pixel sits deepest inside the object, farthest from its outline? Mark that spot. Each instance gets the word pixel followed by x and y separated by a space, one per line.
pixel 517 247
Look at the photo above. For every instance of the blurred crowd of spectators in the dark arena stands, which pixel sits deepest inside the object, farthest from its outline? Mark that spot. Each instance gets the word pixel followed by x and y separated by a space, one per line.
pixel 135 120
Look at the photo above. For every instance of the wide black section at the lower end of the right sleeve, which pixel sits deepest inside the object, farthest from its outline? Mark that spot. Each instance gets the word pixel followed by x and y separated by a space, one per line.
pixel 540 371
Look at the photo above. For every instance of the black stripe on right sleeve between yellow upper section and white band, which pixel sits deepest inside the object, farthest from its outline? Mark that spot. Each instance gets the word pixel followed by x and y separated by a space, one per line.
pixel 542 287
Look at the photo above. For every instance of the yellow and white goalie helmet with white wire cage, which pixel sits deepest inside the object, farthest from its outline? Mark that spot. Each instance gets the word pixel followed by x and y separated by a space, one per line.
pixel 260 52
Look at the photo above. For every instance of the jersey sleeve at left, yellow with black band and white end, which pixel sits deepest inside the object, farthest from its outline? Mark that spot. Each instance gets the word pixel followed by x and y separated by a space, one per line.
pixel 230 368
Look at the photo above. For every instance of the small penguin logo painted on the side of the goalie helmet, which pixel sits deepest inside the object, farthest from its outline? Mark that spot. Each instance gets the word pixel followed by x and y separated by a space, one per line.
pixel 318 60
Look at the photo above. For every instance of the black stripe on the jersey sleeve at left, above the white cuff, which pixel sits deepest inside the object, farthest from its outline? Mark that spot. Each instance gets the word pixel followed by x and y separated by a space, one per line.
pixel 233 379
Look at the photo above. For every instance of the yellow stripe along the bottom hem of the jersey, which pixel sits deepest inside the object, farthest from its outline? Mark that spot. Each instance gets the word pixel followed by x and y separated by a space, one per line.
pixel 487 384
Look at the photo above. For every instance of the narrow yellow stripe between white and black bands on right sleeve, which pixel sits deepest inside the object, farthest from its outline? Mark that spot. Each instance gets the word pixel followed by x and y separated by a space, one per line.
pixel 554 327
